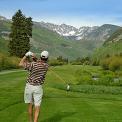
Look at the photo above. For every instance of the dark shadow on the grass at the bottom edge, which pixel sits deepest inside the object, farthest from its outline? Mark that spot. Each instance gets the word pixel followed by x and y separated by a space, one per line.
pixel 58 116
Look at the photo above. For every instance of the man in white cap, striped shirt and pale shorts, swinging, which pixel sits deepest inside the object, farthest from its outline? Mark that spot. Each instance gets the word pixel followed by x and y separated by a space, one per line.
pixel 33 89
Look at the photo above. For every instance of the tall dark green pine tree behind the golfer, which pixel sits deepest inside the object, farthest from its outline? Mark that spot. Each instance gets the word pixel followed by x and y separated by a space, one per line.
pixel 21 31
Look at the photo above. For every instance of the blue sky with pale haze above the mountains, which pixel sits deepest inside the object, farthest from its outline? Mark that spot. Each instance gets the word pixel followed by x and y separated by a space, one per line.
pixel 73 12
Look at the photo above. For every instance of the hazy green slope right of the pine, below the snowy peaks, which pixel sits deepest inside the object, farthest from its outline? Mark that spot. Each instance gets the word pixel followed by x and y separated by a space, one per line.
pixel 44 39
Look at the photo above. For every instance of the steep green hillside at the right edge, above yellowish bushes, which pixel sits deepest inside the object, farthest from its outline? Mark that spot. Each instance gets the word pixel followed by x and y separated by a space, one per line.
pixel 112 46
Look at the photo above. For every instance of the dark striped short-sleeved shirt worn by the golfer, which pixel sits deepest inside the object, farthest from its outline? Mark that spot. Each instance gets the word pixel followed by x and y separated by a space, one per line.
pixel 37 71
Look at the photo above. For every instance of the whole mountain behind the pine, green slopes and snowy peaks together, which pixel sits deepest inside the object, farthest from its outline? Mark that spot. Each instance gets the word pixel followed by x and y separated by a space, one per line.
pixel 60 40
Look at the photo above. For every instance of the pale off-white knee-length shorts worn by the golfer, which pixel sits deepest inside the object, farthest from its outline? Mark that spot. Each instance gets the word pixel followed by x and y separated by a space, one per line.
pixel 33 94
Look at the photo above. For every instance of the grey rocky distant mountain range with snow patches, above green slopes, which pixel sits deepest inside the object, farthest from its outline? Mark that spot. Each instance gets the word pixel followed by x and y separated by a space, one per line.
pixel 83 33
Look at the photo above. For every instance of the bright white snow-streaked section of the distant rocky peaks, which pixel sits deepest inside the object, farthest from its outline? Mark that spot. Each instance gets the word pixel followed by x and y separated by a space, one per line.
pixel 68 30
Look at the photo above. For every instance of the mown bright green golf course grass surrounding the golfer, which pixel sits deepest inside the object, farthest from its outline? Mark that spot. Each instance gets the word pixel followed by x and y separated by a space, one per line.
pixel 57 104
